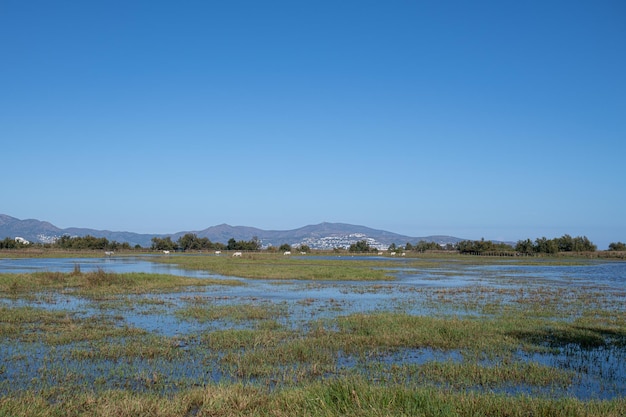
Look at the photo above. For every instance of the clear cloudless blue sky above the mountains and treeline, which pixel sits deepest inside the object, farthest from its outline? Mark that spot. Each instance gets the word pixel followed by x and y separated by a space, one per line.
pixel 495 119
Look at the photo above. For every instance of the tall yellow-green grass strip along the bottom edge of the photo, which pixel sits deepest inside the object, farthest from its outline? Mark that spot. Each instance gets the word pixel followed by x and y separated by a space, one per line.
pixel 335 397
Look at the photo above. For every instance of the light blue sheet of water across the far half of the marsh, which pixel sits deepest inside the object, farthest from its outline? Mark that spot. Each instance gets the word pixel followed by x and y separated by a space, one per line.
pixel 319 299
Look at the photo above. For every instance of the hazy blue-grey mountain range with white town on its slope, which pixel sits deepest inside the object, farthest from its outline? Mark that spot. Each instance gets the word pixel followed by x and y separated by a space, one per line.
pixel 319 236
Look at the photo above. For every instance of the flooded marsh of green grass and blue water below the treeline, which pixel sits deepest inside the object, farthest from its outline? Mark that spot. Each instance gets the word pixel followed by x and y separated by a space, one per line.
pixel 317 336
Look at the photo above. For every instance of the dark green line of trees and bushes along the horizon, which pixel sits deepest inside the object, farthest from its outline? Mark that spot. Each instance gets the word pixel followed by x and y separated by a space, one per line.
pixel 191 242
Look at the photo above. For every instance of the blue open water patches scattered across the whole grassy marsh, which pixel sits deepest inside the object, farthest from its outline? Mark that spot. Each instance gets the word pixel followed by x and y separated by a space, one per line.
pixel 451 288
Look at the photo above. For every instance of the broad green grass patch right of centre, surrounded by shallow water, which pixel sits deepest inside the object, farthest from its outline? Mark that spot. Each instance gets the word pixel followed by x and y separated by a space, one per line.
pixel 279 354
